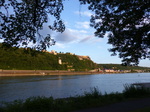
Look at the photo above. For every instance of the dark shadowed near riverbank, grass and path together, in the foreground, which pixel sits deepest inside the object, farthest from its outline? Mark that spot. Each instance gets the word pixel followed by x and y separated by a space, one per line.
pixel 131 99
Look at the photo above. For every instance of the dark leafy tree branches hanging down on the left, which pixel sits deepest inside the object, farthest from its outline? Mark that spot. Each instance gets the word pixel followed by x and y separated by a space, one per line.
pixel 22 20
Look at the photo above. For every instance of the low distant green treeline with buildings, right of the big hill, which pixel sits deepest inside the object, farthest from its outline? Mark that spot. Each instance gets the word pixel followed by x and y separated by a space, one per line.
pixel 120 67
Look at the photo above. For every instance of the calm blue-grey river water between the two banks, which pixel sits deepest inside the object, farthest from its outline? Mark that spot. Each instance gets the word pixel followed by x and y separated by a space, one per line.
pixel 12 88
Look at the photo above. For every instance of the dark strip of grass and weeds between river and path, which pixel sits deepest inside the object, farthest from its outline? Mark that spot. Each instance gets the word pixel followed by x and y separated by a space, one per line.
pixel 88 100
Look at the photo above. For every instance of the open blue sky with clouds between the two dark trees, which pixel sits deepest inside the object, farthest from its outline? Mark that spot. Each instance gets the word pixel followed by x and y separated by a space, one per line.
pixel 79 37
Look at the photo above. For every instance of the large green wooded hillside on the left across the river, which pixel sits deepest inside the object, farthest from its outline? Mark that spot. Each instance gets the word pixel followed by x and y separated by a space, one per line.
pixel 12 58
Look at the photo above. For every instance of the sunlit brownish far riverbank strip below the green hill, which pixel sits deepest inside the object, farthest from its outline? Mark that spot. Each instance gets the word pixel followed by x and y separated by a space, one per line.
pixel 42 72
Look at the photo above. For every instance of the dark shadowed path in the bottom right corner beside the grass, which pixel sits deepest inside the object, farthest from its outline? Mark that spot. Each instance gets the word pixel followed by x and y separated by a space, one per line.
pixel 121 107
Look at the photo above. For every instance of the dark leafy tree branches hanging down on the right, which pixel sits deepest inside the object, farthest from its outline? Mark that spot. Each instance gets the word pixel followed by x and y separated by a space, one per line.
pixel 126 23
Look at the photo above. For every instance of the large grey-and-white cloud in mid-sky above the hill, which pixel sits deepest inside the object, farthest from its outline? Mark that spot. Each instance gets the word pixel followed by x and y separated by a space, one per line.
pixel 71 36
